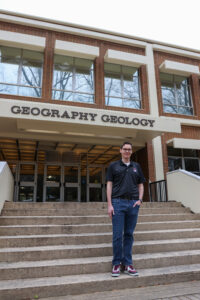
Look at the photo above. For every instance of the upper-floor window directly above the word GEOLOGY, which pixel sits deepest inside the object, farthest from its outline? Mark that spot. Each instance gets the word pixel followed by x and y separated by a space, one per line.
pixel 122 87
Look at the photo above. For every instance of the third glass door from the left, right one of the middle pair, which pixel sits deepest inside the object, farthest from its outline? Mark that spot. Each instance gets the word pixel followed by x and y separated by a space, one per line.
pixel 72 182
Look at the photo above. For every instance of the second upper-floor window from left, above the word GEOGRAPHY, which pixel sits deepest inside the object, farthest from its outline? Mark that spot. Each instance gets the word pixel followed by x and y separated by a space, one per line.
pixel 73 79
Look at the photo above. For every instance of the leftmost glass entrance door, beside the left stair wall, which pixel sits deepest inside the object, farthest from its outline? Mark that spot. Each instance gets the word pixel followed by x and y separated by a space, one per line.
pixel 26 183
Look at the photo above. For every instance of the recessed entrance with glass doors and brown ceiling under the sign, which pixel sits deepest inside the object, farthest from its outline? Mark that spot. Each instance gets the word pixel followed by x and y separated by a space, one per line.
pixel 58 171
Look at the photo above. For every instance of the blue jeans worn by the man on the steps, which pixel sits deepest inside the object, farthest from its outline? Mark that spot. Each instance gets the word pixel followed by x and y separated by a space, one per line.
pixel 124 221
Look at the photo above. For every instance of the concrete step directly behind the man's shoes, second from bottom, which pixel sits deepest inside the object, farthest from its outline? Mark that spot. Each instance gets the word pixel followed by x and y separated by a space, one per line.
pixel 76 266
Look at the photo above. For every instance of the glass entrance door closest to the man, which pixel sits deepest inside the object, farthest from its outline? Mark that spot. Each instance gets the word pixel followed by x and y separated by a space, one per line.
pixel 96 190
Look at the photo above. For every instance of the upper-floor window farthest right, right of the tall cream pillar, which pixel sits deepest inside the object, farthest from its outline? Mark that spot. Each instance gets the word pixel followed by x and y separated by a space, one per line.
pixel 176 95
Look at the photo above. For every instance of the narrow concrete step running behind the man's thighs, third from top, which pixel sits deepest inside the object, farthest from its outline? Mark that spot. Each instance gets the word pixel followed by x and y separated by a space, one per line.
pixel 72 220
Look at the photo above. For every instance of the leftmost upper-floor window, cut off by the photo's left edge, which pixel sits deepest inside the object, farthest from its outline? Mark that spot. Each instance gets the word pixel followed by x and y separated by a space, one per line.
pixel 20 72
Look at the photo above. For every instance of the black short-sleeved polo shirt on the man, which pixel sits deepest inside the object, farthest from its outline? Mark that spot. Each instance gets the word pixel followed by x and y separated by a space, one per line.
pixel 125 179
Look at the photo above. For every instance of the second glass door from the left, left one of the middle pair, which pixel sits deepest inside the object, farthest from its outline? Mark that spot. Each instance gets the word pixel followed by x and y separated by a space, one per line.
pixel 52 191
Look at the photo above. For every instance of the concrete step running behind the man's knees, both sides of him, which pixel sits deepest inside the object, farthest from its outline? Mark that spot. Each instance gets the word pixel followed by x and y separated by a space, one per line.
pixel 93 238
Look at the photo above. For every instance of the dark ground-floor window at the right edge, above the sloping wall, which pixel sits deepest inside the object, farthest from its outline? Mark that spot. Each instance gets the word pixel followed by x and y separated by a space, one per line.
pixel 186 159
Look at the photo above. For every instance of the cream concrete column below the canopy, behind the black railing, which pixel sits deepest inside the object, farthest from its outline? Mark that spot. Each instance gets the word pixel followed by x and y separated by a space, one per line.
pixel 158 158
